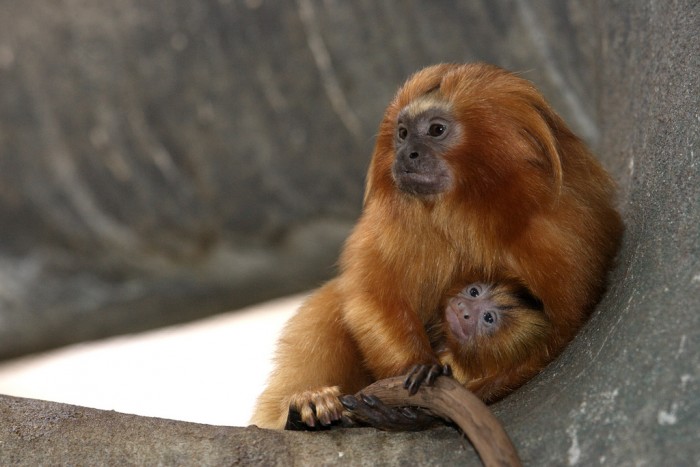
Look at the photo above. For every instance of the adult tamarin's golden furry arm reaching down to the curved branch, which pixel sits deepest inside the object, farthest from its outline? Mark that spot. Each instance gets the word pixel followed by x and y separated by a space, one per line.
pixel 384 287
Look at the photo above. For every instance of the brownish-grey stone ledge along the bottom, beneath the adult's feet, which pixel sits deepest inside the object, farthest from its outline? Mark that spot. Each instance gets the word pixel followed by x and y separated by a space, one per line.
pixel 39 433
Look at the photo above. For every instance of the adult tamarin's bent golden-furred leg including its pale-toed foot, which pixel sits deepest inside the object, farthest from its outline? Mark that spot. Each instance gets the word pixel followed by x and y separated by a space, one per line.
pixel 316 360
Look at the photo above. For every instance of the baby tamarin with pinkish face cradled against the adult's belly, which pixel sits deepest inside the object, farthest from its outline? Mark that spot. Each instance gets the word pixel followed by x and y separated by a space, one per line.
pixel 493 336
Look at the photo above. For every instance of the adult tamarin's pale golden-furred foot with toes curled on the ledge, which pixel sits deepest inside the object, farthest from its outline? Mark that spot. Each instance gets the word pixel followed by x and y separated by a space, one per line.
pixel 314 409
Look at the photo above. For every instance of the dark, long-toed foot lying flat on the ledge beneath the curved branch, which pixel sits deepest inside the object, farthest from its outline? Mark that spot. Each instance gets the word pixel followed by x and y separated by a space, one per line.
pixel 370 410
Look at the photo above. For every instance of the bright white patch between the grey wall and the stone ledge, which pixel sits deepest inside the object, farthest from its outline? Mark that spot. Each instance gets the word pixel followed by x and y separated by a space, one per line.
pixel 210 371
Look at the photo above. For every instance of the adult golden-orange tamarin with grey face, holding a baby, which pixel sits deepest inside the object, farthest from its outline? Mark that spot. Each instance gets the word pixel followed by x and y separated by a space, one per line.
pixel 473 178
